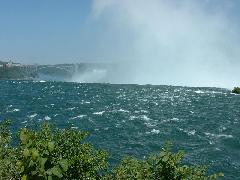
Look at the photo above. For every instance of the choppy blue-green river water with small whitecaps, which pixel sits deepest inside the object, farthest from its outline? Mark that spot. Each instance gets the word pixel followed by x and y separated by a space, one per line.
pixel 135 119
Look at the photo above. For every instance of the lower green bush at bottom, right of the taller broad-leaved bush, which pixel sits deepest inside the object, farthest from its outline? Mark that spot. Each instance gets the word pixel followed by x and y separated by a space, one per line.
pixel 163 166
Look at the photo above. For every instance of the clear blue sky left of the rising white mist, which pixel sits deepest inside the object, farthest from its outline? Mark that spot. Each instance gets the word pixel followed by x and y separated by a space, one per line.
pixel 42 31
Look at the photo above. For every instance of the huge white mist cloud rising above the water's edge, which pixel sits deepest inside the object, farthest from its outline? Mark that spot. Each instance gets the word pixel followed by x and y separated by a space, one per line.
pixel 187 42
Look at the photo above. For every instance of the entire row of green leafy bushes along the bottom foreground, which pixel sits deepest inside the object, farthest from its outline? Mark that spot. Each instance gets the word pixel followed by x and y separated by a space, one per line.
pixel 62 154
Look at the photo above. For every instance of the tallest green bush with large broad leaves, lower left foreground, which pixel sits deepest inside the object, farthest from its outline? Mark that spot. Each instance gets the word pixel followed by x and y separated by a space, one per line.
pixel 59 154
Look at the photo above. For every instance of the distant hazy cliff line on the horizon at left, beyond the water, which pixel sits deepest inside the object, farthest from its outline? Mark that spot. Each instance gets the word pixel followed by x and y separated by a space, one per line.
pixel 58 72
